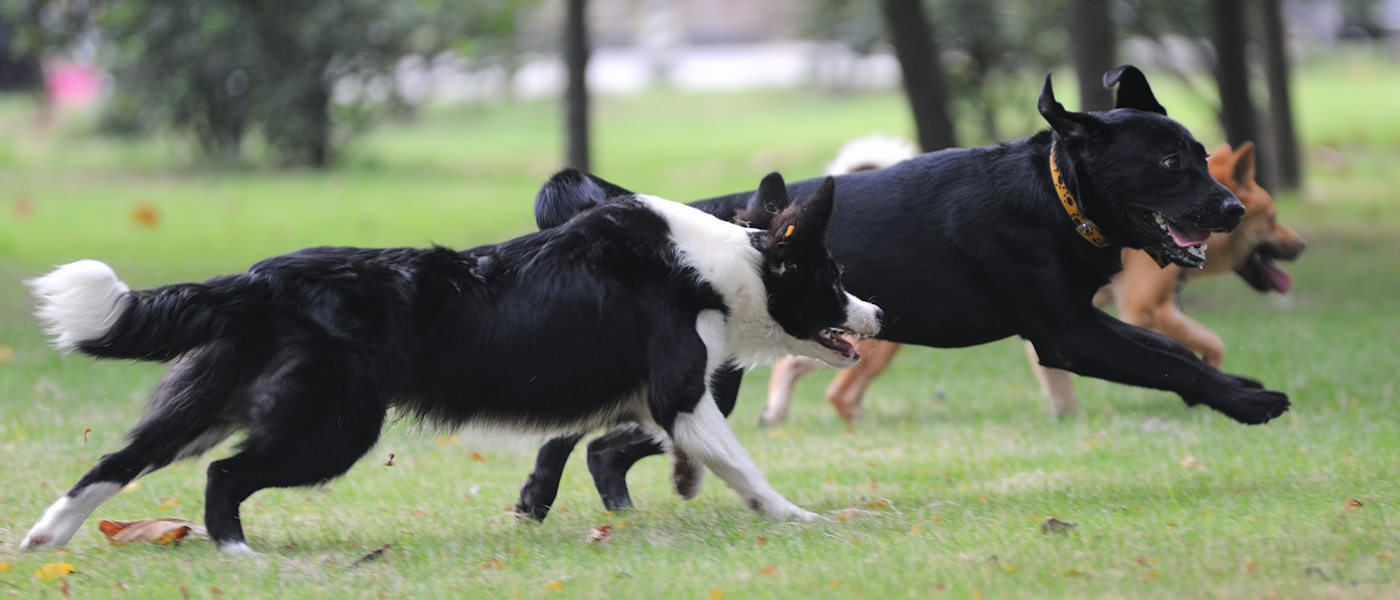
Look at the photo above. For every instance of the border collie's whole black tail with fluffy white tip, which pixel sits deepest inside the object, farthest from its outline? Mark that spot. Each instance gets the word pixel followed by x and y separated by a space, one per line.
pixel 86 308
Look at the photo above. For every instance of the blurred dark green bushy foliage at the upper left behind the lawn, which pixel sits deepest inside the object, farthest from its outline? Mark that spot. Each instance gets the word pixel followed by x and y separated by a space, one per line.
pixel 304 73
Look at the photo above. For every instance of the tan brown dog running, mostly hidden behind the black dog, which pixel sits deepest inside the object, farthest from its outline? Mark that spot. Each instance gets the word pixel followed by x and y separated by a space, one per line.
pixel 1144 294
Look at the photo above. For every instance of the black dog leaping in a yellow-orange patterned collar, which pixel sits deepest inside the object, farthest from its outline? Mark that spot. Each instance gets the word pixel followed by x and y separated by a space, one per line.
pixel 968 247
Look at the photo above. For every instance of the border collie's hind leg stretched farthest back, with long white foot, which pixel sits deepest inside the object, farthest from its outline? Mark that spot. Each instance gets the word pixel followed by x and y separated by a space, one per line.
pixel 187 417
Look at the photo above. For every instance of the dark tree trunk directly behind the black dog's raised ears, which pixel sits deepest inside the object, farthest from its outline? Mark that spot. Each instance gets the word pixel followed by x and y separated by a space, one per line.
pixel 1093 48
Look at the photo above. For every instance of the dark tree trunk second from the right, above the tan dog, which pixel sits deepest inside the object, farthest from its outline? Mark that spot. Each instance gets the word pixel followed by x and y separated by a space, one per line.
pixel 1231 72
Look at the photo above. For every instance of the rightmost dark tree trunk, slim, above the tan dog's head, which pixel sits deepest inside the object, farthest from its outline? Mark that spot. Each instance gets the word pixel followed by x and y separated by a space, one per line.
pixel 1283 139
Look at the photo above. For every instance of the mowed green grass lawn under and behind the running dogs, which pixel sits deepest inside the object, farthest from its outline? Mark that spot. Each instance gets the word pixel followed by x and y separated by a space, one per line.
pixel 954 468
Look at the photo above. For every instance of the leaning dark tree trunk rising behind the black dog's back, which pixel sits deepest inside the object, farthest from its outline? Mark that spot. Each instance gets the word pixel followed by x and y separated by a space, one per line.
pixel 923 72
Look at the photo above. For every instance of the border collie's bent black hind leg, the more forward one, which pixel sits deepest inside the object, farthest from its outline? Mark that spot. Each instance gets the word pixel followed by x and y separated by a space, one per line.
pixel 317 420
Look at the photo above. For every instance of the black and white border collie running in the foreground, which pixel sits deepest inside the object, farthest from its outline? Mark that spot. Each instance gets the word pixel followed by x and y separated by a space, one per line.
pixel 624 314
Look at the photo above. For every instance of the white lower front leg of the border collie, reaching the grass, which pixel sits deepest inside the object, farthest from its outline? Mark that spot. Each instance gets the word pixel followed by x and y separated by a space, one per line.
pixel 705 436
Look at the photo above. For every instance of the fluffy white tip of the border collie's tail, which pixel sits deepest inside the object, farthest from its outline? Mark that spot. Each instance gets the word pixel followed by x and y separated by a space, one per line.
pixel 79 303
